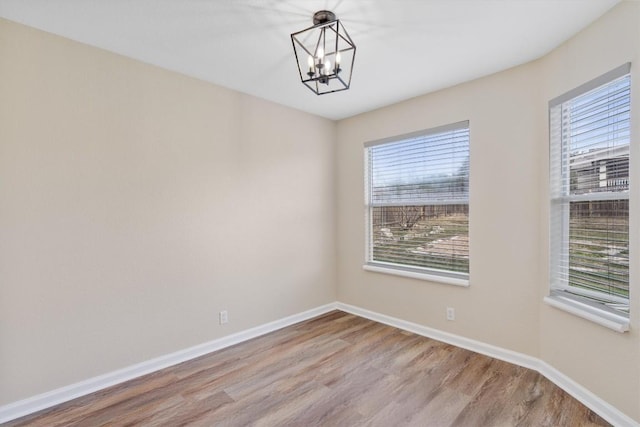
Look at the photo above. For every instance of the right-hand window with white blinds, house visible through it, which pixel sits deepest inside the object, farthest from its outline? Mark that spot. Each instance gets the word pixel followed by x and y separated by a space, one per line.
pixel 589 157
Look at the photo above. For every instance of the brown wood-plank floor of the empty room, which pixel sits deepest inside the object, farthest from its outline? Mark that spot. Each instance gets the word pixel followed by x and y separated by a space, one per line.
pixel 334 370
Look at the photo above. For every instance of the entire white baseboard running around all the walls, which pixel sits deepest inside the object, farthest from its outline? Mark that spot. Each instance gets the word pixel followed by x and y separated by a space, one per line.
pixel 46 400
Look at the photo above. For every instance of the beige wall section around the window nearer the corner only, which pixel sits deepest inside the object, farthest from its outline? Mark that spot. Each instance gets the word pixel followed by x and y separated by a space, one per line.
pixel 500 305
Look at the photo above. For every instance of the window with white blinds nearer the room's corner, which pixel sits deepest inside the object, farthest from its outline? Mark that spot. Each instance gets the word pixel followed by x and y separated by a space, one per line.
pixel 417 204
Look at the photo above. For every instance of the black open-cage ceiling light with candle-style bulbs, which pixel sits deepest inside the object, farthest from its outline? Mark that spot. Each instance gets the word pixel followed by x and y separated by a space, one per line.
pixel 324 54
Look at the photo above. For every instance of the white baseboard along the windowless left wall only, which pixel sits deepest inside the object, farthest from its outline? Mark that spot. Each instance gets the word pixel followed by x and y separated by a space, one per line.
pixel 64 394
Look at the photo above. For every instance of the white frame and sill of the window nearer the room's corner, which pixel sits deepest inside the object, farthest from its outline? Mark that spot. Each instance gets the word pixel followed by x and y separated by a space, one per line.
pixel 407 270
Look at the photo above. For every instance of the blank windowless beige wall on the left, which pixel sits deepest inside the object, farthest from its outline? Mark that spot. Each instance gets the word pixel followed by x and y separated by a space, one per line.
pixel 136 203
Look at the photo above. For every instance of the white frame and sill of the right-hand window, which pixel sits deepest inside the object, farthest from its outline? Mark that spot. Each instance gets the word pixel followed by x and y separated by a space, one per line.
pixel 562 295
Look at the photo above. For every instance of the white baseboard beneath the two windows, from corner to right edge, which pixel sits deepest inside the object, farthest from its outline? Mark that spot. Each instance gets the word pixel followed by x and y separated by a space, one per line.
pixel 580 393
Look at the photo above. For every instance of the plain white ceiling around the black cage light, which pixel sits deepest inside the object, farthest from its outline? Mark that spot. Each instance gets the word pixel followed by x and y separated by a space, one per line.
pixel 405 48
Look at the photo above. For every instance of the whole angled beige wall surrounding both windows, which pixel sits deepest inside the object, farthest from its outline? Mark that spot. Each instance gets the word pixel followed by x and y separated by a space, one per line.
pixel 508 214
